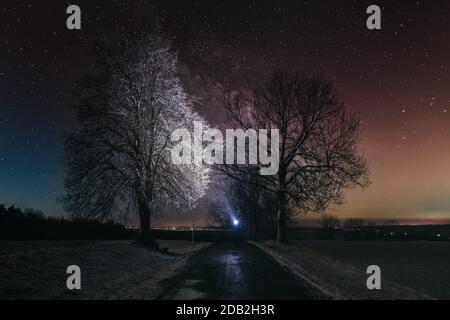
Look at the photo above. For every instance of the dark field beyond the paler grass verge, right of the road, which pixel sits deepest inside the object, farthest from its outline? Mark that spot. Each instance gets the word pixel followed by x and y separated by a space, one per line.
pixel 423 266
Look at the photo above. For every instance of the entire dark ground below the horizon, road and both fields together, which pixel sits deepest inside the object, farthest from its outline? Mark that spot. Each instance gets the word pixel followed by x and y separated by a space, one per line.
pixel 121 270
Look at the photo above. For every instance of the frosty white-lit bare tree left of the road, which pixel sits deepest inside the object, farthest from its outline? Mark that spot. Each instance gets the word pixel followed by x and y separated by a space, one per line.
pixel 118 157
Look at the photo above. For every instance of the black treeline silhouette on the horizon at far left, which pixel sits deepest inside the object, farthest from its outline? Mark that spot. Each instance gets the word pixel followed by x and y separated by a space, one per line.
pixel 30 224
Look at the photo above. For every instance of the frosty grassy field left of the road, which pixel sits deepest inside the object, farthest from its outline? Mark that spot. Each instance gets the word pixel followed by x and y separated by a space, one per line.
pixel 109 269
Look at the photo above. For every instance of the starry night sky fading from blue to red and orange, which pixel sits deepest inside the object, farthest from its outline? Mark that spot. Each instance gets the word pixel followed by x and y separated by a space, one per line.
pixel 396 78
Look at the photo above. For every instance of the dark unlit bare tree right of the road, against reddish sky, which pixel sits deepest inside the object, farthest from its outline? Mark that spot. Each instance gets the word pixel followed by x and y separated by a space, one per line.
pixel 318 136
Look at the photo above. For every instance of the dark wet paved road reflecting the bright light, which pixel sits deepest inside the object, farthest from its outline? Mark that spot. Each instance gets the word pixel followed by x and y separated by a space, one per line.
pixel 236 271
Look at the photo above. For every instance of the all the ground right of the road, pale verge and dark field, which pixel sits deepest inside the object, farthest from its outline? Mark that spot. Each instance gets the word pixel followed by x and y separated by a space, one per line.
pixel 410 270
